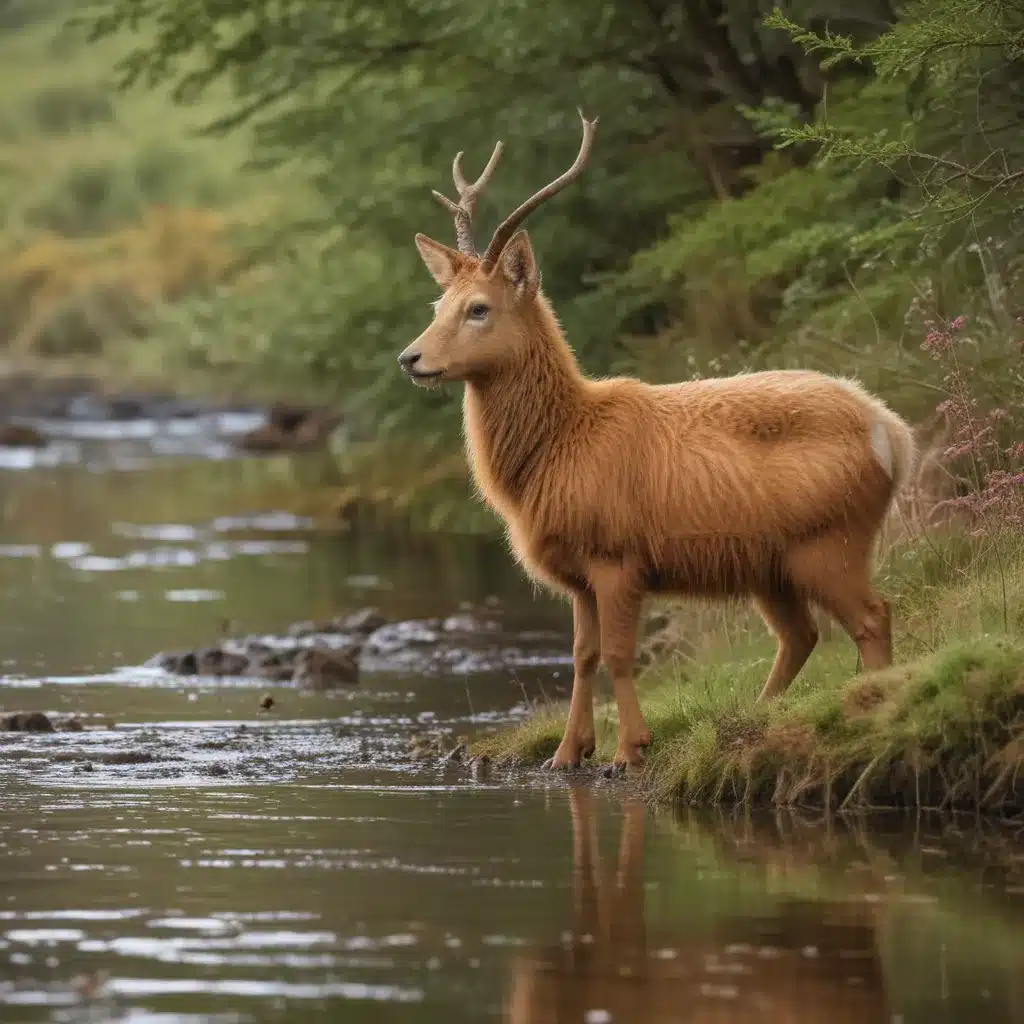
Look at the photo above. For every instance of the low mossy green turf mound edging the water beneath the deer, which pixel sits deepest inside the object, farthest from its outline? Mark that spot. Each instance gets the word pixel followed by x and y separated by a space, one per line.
pixel 941 732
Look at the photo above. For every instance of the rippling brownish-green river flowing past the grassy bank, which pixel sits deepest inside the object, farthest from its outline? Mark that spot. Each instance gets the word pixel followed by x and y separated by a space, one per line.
pixel 167 865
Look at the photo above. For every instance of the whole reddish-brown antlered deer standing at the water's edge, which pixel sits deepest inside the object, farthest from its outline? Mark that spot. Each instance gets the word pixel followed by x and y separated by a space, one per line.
pixel 773 486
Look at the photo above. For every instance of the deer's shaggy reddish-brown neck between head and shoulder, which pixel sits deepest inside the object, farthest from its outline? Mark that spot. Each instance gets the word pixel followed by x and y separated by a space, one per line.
pixel 515 418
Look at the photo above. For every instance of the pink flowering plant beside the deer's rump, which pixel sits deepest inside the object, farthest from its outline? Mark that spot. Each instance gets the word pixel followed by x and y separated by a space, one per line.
pixel 994 498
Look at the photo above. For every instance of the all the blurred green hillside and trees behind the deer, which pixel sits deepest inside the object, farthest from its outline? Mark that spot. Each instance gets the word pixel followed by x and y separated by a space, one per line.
pixel 808 186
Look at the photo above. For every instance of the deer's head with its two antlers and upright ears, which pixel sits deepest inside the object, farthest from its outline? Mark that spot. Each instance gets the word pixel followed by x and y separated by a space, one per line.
pixel 481 320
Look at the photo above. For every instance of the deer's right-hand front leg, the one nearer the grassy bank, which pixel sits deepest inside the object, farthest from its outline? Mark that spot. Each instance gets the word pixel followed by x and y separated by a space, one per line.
pixel 620 591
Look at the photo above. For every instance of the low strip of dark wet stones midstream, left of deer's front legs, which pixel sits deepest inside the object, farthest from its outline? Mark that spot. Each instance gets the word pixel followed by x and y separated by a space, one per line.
pixel 334 654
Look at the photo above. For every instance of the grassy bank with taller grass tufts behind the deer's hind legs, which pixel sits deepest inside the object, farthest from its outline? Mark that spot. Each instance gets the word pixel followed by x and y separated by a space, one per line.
pixel 944 729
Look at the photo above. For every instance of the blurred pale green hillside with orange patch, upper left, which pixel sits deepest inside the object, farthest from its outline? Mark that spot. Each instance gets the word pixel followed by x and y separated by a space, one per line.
pixel 115 210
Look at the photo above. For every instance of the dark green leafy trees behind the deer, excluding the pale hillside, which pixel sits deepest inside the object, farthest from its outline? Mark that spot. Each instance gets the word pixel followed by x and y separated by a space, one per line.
pixel 761 175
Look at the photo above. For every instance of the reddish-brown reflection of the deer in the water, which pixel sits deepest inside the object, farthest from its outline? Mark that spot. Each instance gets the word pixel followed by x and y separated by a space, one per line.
pixel 813 963
